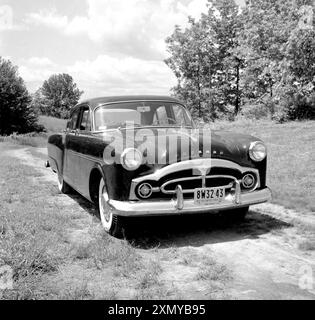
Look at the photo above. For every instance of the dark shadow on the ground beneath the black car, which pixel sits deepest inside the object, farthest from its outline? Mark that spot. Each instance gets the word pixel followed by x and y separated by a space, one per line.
pixel 191 230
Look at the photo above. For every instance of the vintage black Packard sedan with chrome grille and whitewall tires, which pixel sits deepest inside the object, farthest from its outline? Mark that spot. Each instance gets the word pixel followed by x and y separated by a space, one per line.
pixel 143 156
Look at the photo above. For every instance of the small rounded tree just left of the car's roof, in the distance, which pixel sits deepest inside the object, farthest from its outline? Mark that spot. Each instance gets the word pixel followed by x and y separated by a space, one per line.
pixel 57 96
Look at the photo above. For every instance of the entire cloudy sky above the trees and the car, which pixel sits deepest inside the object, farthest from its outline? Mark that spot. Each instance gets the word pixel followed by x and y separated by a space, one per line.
pixel 109 47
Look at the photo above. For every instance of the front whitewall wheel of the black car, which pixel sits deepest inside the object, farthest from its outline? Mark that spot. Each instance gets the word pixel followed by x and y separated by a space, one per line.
pixel 111 222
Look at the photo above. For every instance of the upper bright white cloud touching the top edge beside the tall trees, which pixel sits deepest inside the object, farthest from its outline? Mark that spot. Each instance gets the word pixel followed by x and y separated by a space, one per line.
pixel 134 27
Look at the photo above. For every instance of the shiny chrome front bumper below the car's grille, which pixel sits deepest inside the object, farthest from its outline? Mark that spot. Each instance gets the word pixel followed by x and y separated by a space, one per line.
pixel 181 206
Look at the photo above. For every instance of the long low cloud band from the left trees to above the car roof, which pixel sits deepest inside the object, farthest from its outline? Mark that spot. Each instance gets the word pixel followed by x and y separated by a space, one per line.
pixel 105 75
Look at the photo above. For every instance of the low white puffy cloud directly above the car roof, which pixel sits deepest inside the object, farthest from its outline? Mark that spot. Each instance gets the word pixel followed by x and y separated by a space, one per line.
pixel 108 75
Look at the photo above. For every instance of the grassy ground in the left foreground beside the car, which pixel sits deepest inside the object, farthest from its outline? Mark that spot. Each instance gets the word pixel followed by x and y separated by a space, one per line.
pixel 55 250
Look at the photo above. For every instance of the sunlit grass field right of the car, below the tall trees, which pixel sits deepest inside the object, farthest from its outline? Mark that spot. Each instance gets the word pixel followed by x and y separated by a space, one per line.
pixel 291 164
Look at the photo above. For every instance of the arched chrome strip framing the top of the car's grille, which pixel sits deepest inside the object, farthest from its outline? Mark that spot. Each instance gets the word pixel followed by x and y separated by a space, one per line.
pixel 197 164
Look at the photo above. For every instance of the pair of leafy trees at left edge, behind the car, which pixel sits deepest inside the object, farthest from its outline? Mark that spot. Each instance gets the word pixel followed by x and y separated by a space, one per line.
pixel 19 110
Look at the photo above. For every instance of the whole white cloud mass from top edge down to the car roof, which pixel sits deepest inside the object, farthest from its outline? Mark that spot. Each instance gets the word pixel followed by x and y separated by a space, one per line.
pixel 130 37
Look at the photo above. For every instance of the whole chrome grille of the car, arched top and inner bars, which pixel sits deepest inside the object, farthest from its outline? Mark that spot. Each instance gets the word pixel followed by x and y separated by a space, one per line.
pixel 189 176
